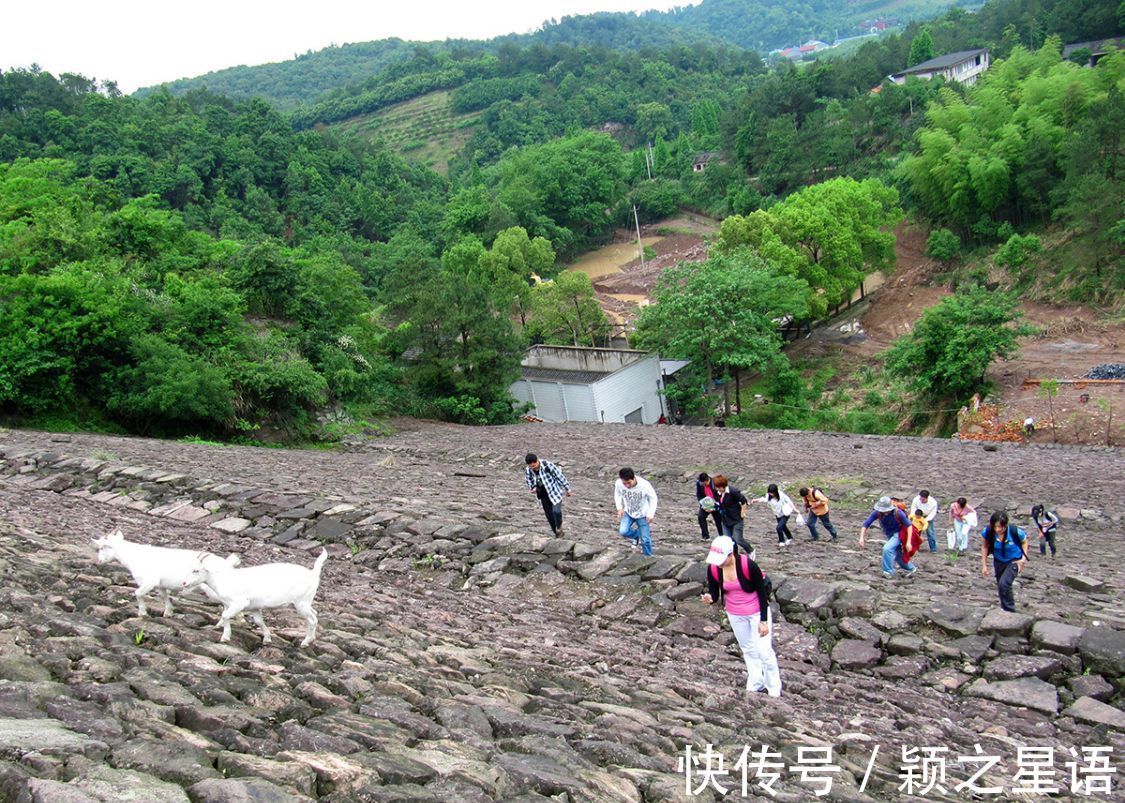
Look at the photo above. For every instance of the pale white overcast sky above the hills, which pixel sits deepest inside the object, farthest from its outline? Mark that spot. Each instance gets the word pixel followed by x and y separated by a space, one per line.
pixel 141 43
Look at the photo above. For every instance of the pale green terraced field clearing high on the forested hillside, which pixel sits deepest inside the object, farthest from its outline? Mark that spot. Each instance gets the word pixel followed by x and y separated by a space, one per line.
pixel 426 129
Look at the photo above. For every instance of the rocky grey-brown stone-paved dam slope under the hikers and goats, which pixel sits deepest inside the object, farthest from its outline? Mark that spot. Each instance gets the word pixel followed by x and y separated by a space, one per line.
pixel 465 655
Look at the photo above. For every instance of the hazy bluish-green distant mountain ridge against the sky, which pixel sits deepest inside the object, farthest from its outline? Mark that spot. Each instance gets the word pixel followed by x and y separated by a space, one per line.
pixel 761 25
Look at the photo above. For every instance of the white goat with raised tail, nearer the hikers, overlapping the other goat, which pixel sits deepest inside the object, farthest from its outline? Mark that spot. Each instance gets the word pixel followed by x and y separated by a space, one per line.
pixel 259 588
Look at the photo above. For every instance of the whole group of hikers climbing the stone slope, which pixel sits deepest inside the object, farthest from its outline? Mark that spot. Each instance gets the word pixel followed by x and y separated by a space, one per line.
pixel 736 581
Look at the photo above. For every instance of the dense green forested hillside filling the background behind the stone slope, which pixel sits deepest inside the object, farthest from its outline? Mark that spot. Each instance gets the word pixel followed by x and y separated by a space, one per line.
pixel 201 265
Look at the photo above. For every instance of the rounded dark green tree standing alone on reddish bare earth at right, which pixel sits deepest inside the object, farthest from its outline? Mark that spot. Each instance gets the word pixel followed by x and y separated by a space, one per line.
pixel 948 355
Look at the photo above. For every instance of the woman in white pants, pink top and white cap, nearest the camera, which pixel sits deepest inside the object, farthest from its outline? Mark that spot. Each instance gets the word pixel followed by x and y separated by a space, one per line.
pixel 739 582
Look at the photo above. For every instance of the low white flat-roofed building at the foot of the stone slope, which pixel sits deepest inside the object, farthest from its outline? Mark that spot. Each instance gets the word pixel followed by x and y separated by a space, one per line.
pixel 580 384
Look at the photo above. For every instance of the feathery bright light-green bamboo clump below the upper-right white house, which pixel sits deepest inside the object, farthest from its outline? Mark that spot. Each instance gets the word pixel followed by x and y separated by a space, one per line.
pixel 1000 154
